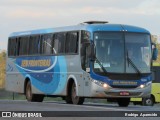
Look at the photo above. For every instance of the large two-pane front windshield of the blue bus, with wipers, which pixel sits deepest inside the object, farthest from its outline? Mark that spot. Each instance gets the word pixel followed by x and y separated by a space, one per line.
pixel 122 52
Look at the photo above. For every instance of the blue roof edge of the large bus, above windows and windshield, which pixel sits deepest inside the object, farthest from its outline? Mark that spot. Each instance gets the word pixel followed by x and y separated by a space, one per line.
pixel 88 27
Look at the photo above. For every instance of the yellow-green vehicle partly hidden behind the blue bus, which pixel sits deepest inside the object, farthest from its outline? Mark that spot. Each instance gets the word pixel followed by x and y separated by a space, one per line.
pixel 155 91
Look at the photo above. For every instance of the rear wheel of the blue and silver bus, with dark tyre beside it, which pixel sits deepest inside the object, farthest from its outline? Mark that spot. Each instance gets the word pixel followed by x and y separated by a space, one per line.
pixel 32 97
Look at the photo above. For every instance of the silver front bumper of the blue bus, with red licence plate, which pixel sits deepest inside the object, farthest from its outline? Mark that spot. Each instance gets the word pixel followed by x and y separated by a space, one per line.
pixel 107 91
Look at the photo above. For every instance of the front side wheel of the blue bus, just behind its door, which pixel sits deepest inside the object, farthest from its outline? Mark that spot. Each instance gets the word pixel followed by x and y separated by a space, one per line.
pixel 75 99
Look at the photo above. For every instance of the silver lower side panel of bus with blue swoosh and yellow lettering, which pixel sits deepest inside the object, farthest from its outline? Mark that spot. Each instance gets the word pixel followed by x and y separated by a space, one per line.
pixel 48 74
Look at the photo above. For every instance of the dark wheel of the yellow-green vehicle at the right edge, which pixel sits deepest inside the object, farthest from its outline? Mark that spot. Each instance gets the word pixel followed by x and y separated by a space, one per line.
pixel 148 101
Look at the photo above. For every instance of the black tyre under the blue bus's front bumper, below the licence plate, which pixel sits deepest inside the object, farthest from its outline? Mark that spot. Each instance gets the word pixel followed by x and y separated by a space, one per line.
pixel 123 102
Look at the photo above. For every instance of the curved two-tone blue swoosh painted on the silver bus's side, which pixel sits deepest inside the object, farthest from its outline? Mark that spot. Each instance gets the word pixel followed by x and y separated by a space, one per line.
pixel 49 82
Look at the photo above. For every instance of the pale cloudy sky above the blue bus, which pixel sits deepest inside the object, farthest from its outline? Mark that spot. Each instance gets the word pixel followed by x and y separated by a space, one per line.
pixel 22 15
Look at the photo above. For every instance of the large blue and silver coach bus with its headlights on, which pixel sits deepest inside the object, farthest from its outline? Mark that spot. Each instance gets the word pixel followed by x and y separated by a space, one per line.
pixel 94 59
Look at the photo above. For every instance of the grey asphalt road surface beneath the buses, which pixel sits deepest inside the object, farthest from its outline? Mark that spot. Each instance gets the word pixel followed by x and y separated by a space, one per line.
pixel 87 110
